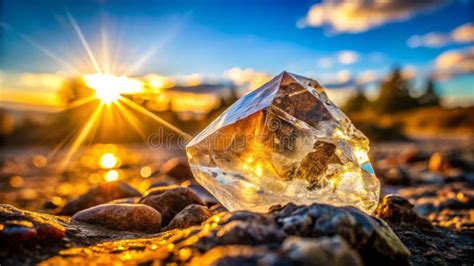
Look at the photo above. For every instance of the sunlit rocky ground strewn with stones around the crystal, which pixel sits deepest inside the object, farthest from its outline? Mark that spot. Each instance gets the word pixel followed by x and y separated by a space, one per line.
pixel 160 216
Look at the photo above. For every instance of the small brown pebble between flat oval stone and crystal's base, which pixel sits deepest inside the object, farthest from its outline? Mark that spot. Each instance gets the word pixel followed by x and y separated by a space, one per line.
pixel 191 215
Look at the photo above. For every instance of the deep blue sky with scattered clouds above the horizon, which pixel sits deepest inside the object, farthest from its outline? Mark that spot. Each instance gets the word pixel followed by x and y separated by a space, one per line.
pixel 211 37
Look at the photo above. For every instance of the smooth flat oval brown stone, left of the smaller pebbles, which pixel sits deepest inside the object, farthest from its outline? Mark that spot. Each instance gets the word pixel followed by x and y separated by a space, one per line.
pixel 126 217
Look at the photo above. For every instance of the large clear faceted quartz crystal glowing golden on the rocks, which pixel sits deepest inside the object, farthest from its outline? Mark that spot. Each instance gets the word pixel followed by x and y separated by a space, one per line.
pixel 284 142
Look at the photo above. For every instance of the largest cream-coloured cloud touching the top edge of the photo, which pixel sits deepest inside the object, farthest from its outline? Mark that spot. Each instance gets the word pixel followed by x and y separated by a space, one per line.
pixel 362 15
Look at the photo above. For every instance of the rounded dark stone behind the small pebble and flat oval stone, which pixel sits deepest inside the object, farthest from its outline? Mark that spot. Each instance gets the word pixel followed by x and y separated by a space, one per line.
pixel 171 201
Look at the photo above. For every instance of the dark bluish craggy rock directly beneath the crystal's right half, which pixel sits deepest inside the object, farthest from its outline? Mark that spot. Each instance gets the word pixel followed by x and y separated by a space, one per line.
pixel 371 236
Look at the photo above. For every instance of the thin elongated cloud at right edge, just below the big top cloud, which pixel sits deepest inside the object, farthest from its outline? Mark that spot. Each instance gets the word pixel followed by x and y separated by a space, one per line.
pixel 461 34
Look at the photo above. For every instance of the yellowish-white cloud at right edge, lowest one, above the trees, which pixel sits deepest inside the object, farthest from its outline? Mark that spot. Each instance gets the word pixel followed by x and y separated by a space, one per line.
pixel 454 62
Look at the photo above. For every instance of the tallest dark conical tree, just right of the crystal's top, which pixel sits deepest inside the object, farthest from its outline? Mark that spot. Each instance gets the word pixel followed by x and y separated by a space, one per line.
pixel 395 94
